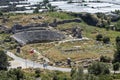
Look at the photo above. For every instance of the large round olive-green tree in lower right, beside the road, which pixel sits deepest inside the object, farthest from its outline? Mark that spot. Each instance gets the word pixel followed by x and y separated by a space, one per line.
pixel 98 68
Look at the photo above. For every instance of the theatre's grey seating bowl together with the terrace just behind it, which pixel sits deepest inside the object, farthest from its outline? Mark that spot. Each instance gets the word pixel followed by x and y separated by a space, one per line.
pixel 36 34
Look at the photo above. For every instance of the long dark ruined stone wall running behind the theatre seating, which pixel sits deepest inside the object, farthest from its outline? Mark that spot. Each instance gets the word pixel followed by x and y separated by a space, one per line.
pixel 19 28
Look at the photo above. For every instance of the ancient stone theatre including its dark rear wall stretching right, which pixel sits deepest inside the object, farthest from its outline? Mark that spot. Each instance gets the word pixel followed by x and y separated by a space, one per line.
pixel 39 32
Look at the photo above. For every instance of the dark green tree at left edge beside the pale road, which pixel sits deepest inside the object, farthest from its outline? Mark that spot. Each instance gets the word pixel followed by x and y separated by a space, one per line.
pixel 3 61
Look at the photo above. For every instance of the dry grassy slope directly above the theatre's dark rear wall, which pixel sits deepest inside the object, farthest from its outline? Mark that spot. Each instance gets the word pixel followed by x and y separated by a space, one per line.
pixel 25 19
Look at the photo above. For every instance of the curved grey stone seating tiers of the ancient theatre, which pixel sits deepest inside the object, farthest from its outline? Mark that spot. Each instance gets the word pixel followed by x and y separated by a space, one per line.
pixel 34 36
